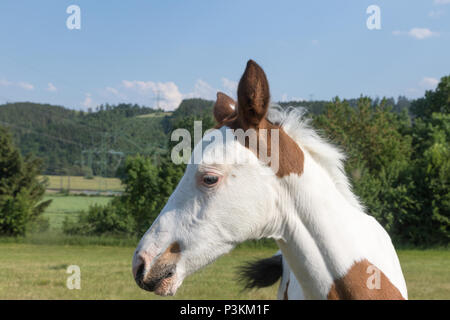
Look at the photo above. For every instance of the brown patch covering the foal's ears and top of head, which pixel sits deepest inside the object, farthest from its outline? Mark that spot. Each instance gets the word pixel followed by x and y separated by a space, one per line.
pixel 252 106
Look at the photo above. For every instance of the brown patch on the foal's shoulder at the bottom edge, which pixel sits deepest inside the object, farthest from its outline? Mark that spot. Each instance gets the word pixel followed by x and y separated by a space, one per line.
pixel 354 285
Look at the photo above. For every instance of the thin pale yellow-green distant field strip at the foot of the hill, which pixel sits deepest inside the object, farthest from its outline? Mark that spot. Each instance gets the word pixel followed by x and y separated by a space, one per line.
pixel 81 183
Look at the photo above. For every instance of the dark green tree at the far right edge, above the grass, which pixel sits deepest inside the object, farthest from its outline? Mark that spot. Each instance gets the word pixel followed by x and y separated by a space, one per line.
pixel 430 223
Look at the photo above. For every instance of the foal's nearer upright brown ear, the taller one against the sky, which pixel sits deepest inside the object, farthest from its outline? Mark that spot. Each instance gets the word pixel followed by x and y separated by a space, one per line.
pixel 253 95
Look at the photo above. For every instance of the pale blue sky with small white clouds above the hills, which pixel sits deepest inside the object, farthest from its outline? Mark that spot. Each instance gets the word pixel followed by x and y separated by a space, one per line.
pixel 156 53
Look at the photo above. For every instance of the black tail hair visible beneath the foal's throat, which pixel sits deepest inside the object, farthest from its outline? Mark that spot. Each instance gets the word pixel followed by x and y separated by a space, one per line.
pixel 261 273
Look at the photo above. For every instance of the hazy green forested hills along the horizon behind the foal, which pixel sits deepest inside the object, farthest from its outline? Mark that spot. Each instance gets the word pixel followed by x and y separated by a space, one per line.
pixel 96 142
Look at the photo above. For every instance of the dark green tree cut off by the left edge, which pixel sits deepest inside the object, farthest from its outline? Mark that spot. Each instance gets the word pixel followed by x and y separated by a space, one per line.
pixel 21 192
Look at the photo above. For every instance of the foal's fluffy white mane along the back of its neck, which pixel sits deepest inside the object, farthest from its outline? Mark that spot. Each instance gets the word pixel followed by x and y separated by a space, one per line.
pixel 328 156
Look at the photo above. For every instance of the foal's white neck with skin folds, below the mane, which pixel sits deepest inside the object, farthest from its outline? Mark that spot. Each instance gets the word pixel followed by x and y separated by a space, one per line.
pixel 318 229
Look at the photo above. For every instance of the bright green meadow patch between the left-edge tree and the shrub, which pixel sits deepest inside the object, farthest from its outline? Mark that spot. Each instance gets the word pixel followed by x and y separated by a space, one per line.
pixel 62 206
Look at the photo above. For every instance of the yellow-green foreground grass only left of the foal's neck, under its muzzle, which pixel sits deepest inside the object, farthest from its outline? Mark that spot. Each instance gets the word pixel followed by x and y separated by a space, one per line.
pixel 39 272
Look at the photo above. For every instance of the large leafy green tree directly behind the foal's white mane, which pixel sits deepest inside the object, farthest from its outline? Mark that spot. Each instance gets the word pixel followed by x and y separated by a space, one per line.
pixel 378 155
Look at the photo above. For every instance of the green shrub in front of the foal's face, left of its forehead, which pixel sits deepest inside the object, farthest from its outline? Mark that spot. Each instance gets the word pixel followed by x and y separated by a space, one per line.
pixel 147 190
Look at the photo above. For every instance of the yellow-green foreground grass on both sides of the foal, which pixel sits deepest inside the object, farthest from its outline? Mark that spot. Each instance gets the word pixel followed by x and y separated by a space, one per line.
pixel 30 271
